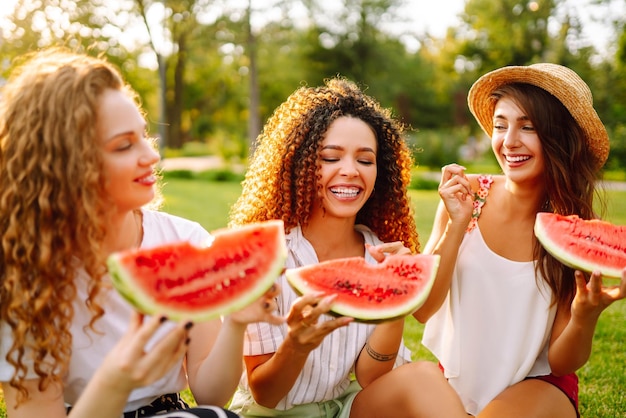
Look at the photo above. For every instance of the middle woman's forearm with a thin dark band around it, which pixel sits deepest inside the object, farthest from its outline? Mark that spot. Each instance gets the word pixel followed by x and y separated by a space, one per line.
pixel 380 352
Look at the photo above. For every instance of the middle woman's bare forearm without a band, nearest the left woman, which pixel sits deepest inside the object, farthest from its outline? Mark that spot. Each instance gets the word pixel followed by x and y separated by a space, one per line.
pixel 272 380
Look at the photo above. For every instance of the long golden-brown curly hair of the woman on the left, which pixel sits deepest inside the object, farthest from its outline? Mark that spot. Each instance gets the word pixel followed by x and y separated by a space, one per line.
pixel 53 208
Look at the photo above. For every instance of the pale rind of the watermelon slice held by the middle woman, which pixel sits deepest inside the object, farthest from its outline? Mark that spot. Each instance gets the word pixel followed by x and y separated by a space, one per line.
pixel 370 315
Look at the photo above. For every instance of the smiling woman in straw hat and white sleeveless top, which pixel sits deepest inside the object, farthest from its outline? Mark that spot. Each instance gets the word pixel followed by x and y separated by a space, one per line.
pixel 516 324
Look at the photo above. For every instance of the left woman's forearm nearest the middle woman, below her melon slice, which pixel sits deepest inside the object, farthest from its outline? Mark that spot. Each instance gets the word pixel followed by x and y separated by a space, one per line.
pixel 215 379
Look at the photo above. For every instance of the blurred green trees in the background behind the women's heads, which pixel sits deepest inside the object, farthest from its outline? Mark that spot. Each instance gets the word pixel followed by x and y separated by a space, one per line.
pixel 209 69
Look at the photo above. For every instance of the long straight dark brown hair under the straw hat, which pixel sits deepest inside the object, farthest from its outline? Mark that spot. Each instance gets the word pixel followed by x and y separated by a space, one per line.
pixel 571 174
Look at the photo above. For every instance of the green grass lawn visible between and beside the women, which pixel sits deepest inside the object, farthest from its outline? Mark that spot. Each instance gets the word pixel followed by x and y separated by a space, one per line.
pixel 602 379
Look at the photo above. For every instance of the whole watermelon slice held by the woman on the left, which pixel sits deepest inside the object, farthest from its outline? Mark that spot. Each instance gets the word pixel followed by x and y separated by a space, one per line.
pixel 184 281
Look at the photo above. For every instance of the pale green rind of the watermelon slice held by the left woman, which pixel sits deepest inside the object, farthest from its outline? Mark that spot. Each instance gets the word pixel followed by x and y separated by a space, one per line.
pixel 143 303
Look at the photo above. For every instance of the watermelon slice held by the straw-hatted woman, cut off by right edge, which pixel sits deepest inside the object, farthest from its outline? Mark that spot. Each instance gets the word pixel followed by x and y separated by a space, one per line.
pixel 586 245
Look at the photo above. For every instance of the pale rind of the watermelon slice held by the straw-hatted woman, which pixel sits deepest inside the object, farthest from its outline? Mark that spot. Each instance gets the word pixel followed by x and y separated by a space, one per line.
pixel 568 258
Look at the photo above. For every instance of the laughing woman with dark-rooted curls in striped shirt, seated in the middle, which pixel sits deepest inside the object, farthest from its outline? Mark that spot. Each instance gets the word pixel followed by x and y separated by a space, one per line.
pixel 335 167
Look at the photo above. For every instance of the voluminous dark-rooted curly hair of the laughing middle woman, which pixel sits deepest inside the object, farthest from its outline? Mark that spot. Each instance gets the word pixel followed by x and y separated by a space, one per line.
pixel 281 181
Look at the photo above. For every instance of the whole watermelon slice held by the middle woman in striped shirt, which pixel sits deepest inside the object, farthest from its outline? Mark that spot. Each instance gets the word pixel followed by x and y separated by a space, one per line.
pixel 370 292
